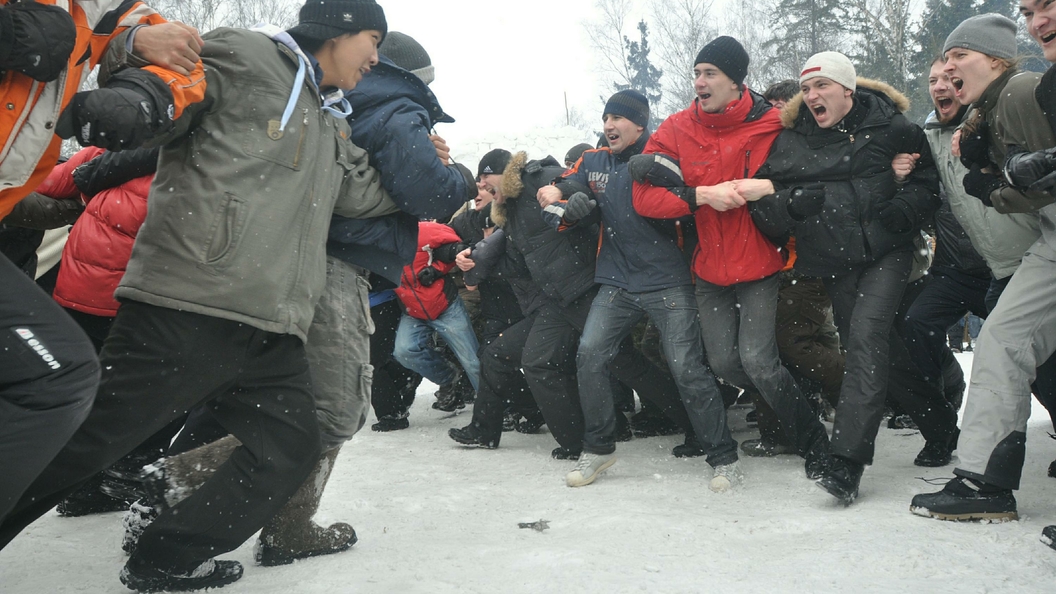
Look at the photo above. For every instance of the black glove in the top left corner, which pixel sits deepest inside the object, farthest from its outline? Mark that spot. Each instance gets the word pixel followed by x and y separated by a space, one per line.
pixel 36 40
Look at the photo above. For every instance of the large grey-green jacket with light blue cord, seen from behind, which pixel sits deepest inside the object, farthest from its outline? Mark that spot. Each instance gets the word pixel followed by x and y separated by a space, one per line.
pixel 242 201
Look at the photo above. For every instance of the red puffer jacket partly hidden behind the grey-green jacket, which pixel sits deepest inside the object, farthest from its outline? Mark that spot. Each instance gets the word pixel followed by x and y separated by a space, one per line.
pixel 101 242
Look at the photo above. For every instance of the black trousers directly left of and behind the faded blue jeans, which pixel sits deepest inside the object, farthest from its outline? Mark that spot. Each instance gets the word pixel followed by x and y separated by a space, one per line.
pixel 550 368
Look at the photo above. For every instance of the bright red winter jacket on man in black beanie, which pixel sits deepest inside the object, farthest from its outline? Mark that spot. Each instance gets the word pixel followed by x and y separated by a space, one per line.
pixel 713 148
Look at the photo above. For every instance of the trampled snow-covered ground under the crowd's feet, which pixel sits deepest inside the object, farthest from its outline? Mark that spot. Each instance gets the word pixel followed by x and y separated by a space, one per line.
pixel 433 517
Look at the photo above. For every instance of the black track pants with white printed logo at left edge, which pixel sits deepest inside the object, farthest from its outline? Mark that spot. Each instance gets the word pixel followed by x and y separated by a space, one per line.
pixel 49 375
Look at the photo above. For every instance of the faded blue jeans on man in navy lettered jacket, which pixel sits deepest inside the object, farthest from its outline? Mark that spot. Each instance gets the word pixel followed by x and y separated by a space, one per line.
pixel 674 312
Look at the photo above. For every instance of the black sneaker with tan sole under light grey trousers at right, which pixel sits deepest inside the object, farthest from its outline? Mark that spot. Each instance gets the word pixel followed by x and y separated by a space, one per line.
pixel 967 499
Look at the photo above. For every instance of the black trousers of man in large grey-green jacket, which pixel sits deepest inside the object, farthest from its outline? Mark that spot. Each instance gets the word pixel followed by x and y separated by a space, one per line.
pixel 158 364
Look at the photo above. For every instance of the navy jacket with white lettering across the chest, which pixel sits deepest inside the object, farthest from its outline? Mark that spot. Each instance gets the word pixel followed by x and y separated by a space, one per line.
pixel 636 254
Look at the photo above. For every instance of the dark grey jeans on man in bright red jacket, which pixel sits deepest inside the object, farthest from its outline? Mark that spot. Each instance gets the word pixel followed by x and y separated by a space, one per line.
pixel 738 326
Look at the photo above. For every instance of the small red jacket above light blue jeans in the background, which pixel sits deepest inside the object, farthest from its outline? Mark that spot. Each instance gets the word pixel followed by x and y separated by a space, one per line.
pixel 421 302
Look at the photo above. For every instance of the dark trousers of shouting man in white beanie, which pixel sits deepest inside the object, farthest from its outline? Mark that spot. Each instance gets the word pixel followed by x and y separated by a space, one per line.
pixel 864 303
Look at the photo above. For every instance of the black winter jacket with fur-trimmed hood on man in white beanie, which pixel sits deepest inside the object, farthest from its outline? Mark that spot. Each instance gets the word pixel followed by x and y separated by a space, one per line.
pixel 856 168
